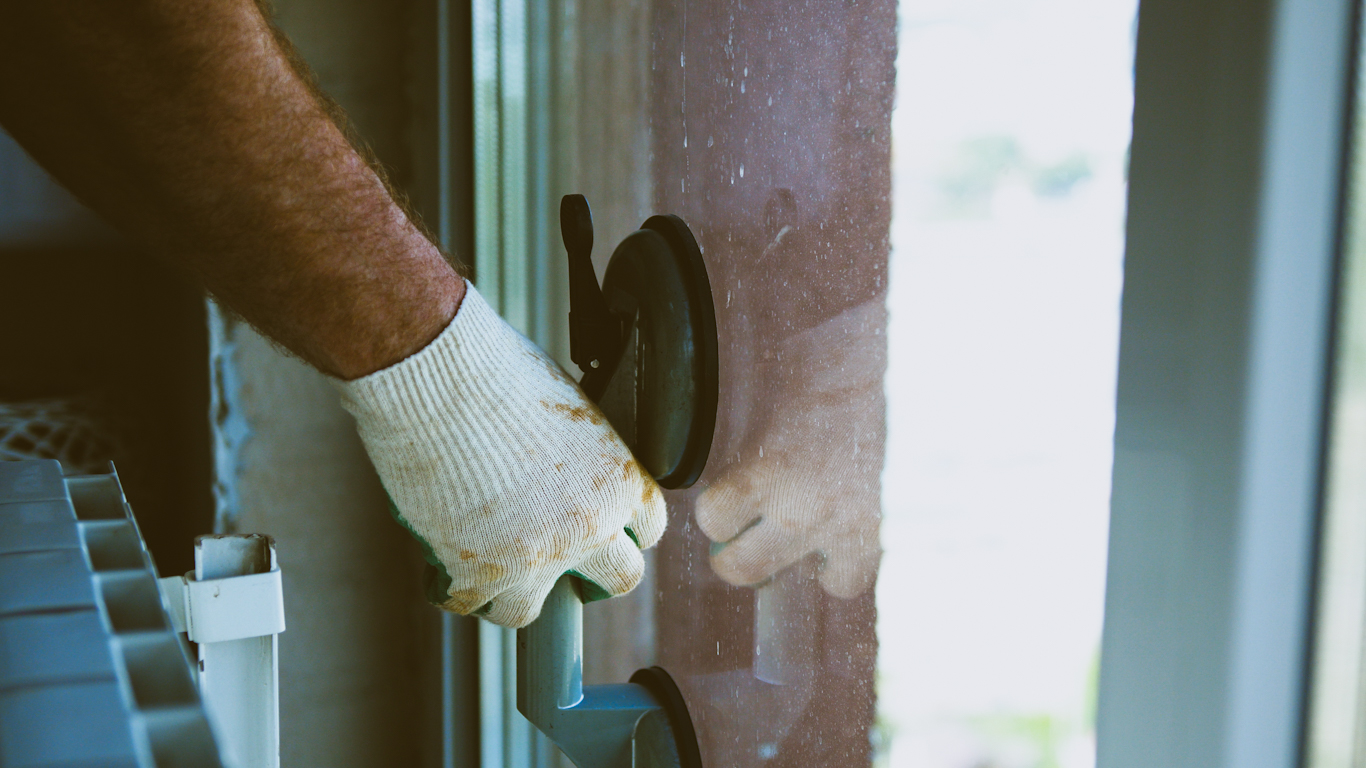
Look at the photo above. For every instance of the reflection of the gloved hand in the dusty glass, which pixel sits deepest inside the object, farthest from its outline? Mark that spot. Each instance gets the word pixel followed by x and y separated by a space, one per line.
pixel 812 482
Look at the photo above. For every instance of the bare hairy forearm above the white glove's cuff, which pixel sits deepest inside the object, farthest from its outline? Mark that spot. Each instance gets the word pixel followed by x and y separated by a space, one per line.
pixel 191 126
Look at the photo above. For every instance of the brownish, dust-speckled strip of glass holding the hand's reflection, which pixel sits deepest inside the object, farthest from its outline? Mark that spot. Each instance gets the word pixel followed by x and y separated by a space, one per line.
pixel 772 635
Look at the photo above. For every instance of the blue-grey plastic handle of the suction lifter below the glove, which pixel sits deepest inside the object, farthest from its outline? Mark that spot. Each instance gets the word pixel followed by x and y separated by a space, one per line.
pixel 602 726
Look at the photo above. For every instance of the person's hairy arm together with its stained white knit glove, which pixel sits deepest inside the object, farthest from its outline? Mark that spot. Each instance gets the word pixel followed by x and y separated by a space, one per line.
pixel 188 125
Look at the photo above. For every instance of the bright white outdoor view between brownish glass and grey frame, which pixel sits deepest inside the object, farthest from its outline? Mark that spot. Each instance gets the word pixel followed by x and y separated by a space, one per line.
pixel 1005 326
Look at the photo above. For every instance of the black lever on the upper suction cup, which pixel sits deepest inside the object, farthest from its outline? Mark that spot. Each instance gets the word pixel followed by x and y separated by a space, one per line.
pixel 596 335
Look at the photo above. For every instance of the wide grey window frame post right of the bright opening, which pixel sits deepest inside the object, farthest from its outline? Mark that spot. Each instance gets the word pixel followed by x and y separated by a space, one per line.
pixel 1234 218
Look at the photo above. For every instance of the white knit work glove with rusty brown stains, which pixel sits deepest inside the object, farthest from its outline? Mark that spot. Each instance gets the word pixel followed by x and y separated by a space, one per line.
pixel 505 471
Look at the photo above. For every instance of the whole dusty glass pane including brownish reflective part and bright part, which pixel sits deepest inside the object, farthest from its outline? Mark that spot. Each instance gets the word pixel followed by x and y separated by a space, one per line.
pixel 919 318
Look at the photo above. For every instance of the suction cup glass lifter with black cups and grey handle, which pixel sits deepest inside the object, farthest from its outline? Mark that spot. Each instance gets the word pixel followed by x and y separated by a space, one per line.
pixel 654 370
